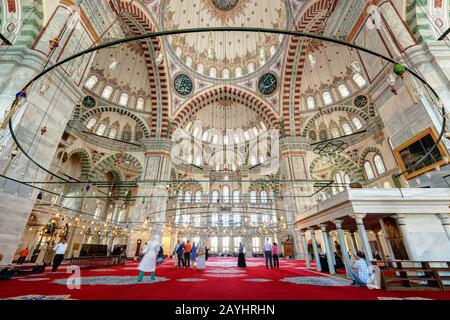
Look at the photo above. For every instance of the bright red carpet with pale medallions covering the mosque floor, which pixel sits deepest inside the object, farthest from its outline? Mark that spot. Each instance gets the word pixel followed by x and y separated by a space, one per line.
pixel 221 280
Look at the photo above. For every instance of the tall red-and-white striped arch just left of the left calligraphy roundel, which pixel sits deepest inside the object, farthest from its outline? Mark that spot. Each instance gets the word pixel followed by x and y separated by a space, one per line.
pixel 137 18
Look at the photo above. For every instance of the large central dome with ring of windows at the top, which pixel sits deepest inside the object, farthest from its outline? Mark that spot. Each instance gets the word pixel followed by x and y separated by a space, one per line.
pixel 219 54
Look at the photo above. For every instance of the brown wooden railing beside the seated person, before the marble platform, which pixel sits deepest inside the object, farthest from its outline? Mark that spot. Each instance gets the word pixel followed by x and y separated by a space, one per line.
pixel 415 275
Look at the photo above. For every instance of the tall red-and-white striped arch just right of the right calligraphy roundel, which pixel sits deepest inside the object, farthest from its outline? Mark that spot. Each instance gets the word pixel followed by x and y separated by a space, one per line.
pixel 312 20
